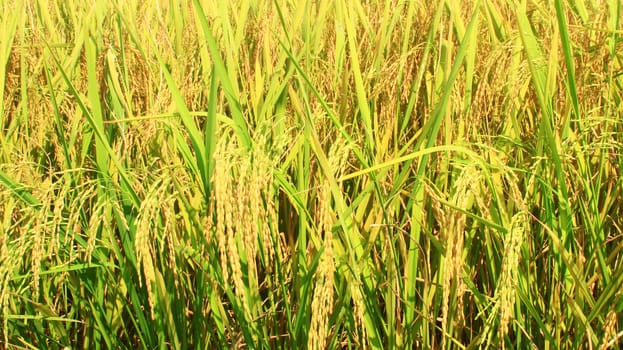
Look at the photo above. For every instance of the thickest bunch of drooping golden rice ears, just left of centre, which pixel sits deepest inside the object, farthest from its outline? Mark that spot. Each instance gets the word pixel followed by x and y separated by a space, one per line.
pixel 243 188
